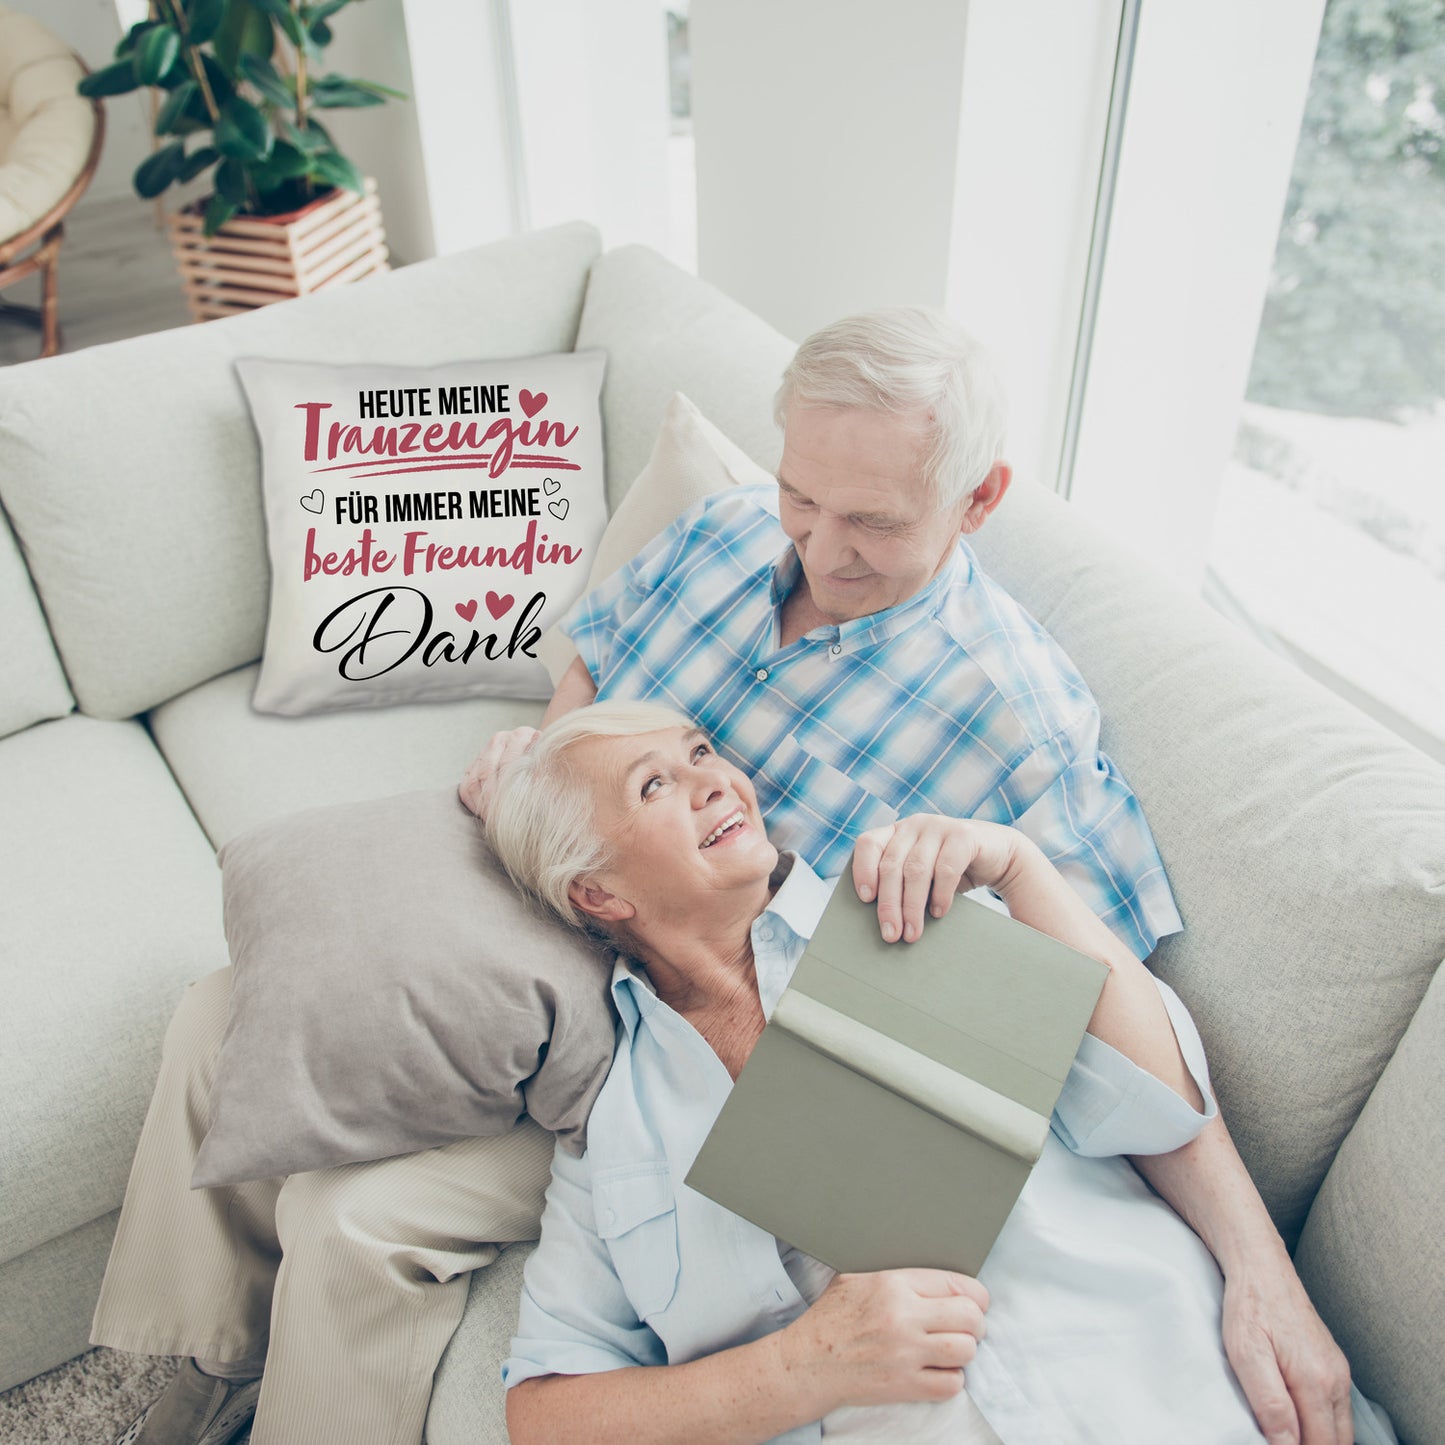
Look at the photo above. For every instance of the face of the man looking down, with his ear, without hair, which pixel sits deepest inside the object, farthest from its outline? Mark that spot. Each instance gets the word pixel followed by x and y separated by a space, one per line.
pixel 853 502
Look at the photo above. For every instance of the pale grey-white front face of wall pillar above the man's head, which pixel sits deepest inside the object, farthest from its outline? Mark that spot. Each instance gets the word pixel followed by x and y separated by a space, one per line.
pixel 827 148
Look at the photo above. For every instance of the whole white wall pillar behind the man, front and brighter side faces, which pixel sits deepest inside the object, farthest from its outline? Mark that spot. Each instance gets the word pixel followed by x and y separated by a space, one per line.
pixel 928 152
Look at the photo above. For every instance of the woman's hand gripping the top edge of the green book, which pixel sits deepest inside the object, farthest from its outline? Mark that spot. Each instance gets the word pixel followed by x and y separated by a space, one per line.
pixel 918 865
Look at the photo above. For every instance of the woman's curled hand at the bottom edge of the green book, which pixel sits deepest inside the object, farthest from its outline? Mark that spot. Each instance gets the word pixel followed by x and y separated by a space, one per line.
pixel 902 1334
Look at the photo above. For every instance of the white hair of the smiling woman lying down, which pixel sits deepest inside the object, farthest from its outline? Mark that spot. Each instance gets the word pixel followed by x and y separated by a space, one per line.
pixel 543 821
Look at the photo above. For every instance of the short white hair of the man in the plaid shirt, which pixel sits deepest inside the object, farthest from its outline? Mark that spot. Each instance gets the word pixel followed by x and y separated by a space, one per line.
pixel 908 361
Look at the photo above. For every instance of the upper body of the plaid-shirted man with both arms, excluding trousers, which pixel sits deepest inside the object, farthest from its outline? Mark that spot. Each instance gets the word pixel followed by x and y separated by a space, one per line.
pixel 840 642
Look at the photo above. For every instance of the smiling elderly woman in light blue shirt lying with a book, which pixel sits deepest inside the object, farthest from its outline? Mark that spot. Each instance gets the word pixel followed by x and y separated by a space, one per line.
pixel 654 1314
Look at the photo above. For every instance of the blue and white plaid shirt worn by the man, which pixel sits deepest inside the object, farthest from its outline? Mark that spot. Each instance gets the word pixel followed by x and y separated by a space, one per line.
pixel 956 703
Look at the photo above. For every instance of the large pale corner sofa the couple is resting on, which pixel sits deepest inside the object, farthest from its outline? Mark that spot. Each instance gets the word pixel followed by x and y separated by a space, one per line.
pixel 1306 846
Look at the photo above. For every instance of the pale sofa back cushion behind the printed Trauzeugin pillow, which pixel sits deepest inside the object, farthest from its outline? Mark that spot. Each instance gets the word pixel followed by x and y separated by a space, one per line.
pixel 141 514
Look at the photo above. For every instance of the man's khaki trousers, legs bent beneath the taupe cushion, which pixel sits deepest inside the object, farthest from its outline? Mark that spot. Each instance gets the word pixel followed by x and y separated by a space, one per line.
pixel 349 1281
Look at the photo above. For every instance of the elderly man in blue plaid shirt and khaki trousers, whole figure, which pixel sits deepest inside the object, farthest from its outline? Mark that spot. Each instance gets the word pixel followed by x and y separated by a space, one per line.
pixel 839 641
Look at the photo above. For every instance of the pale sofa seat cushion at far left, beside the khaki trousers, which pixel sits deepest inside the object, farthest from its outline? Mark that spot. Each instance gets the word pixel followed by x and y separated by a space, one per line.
pixel 111 905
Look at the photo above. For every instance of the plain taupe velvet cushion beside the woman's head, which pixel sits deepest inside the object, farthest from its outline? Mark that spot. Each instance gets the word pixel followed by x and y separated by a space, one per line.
pixel 394 993
